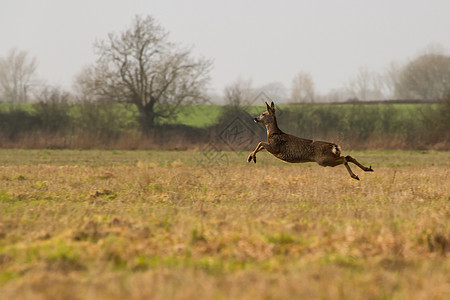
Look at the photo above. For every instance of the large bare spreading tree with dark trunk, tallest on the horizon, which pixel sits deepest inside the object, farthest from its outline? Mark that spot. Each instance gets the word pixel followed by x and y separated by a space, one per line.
pixel 141 67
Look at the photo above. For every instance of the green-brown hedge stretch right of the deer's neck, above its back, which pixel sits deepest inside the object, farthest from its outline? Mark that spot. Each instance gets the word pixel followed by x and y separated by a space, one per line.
pixel 362 126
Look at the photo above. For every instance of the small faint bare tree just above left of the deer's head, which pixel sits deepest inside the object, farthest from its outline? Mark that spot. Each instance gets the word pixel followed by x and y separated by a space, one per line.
pixel 239 93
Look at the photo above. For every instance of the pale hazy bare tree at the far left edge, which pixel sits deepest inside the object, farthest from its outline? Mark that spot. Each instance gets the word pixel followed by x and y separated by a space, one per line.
pixel 16 76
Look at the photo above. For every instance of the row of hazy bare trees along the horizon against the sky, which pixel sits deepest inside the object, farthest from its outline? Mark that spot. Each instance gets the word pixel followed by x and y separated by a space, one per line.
pixel 141 67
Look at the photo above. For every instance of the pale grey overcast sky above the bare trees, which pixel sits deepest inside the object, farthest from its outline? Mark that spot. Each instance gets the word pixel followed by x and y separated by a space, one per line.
pixel 261 41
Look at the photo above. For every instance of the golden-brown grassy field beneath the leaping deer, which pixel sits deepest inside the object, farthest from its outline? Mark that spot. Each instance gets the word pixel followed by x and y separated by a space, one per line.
pixel 204 225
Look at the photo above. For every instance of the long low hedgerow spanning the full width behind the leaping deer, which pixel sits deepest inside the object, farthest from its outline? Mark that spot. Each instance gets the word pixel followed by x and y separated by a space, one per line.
pixel 354 126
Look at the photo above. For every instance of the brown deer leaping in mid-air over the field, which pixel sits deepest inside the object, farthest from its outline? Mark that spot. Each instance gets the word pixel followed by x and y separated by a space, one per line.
pixel 293 149
